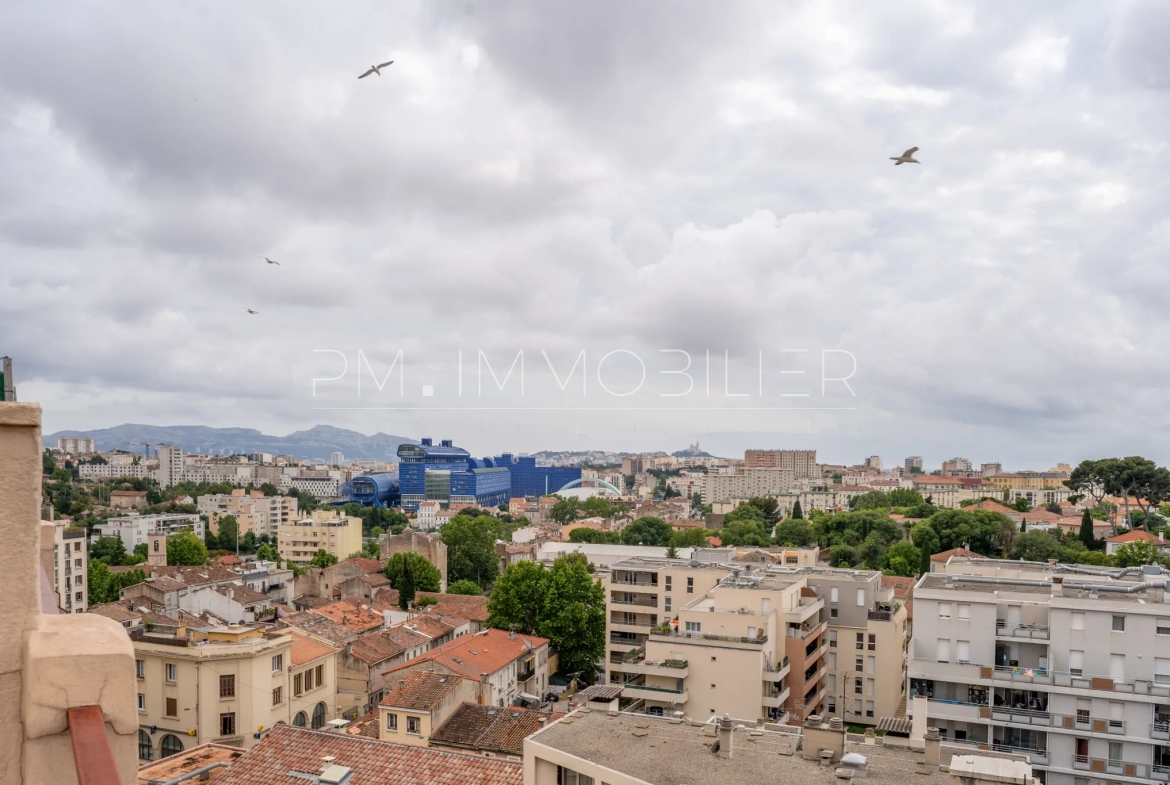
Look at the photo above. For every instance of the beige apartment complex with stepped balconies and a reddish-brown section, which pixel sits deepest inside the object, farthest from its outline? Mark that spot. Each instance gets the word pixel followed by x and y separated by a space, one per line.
pixel 754 641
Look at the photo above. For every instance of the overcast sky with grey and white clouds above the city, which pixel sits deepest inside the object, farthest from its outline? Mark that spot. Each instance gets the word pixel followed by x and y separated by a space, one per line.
pixel 552 177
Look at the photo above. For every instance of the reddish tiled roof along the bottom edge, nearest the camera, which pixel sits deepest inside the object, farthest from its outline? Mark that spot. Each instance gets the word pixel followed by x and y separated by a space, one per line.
pixel 287 754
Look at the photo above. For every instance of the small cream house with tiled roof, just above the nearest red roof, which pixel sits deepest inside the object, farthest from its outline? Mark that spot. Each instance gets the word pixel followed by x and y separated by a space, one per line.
pixel 419 704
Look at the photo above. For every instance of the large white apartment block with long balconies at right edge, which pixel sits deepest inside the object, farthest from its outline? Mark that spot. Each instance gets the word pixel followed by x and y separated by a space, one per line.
pixel 1068 664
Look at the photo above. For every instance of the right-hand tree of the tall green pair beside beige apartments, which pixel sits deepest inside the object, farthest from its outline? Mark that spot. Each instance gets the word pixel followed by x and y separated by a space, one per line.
pixel 574 617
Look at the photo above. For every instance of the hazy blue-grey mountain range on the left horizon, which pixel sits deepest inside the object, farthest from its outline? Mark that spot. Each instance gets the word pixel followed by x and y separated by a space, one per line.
pixel 318 443
